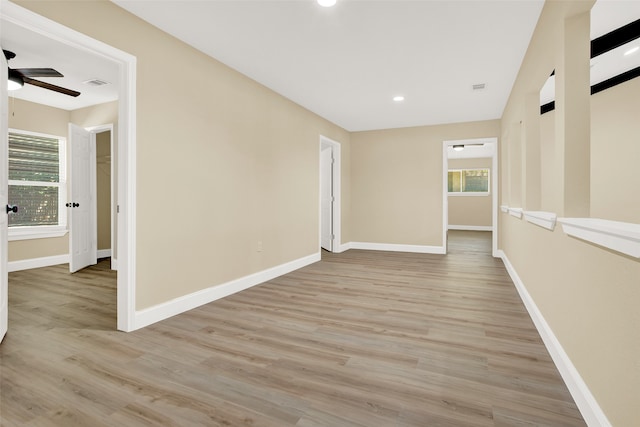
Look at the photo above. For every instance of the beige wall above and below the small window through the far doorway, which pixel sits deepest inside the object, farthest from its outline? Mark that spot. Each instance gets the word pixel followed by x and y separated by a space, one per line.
pixel 468 210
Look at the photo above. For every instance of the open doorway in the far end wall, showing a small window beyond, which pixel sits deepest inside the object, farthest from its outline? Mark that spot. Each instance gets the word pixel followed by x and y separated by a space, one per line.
pixel 470 189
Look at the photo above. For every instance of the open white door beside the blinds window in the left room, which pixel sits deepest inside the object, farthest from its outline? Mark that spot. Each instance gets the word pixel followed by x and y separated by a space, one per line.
pixel 82 221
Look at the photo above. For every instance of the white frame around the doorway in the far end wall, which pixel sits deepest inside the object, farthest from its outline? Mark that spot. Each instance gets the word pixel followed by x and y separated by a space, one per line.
pixel 494 189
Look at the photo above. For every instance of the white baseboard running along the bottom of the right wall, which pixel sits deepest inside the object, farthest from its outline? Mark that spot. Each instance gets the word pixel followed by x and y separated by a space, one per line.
pixel 587 404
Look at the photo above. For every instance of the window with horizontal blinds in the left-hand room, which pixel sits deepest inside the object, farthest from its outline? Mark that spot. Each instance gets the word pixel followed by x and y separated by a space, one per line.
pixel 36 179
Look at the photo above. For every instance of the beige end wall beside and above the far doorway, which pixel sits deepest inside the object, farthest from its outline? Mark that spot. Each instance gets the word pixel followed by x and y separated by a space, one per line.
pixel 397 178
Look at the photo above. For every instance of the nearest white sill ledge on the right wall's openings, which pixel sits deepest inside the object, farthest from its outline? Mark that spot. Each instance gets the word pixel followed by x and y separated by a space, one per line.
pixel 619 236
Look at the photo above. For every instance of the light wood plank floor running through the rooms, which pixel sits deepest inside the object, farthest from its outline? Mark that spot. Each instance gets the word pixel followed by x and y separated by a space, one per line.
pixel 359 339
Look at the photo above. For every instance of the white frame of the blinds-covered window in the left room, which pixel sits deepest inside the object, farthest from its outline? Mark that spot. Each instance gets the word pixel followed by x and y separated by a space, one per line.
pixel 27 232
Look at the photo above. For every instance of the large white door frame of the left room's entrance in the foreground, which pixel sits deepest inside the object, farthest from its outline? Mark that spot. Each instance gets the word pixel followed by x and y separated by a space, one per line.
pixel 126 287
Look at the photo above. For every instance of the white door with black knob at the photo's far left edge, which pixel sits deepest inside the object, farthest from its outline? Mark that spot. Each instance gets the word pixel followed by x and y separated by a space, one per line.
pixel 4 200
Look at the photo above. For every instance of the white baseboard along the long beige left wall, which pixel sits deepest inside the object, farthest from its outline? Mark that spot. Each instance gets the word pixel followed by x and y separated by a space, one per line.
pixel 187 302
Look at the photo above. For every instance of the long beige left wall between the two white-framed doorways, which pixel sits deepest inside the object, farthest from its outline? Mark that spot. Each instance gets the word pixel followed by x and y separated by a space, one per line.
pixel 221 165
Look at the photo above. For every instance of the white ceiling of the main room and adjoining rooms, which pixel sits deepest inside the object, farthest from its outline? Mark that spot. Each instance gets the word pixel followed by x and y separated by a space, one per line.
pixel 344 63
